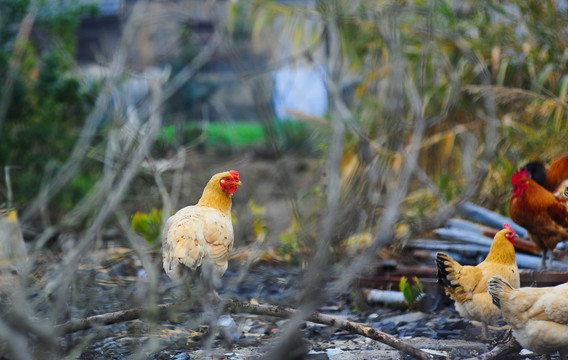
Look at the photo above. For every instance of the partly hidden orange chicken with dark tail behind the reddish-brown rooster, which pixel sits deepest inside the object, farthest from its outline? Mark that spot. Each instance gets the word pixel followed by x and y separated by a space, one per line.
pixel 551 176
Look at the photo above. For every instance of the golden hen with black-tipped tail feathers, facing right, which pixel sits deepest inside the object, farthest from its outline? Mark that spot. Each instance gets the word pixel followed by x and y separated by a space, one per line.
pixel 467 285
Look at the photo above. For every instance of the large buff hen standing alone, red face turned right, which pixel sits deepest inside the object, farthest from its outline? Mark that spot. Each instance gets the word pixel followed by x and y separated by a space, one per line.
pixel 202 234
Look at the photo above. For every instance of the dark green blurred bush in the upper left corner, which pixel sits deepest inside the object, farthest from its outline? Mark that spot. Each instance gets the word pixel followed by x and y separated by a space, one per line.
pixel 47 106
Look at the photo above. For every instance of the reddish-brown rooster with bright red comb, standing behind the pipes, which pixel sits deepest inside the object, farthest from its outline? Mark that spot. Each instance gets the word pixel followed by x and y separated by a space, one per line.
pixel 540 212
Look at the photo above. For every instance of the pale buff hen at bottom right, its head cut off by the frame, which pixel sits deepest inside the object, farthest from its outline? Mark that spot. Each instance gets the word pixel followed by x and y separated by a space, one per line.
pixel 537 316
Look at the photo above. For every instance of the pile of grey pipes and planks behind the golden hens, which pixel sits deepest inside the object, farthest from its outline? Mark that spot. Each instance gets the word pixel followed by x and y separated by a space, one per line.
pixel 467 240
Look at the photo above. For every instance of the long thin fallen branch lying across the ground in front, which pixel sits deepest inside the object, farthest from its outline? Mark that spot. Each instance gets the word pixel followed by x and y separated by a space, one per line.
pixel 238 307
